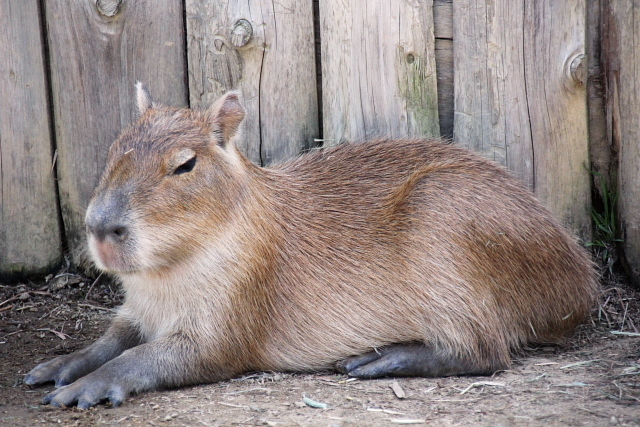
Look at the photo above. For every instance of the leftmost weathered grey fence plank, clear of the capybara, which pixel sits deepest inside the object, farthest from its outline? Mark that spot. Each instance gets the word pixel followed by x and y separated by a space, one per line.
pixel 29 229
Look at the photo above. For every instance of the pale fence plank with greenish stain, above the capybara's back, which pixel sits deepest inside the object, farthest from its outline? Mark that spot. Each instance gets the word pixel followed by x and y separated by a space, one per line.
pixel 378 69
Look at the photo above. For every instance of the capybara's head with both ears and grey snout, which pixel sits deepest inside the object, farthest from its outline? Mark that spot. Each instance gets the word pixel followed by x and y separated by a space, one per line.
pixel 171 179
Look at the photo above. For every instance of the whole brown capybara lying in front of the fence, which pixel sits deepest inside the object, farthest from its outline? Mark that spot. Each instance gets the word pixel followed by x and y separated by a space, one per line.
pixel 385 258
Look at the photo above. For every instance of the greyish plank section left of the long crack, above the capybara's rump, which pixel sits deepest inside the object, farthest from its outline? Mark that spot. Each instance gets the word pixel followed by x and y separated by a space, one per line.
pixel 491 111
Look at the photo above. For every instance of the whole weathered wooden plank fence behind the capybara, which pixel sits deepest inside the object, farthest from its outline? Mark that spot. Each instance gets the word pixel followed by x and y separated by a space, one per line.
pixel 547 88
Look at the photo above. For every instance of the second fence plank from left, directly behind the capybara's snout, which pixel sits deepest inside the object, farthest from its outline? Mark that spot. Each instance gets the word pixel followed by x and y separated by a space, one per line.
pixel 98 50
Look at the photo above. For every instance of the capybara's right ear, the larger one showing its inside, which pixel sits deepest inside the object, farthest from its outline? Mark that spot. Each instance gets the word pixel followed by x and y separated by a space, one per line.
pixel 225 116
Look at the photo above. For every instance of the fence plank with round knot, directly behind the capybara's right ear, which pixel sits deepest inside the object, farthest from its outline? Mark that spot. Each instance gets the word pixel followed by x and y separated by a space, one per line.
pixel 274 70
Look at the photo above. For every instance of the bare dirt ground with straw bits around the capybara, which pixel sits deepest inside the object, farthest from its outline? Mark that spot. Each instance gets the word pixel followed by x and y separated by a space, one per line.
pixel 592 380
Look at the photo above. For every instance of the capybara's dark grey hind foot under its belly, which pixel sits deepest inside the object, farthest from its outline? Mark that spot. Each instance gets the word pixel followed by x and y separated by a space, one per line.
pixel 407 360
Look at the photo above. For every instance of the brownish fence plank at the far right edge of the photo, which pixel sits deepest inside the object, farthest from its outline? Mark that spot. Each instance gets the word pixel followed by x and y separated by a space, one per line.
pixel 622 63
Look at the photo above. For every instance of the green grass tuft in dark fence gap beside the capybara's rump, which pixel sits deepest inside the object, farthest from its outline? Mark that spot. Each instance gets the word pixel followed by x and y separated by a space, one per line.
pixel 605 223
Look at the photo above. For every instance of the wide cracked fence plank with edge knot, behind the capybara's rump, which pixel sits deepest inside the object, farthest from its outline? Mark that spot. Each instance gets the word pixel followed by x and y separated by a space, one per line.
pixel 516 100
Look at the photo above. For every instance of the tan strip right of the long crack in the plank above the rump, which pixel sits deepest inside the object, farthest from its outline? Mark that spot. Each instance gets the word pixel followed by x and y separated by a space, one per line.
pixel 556 97
